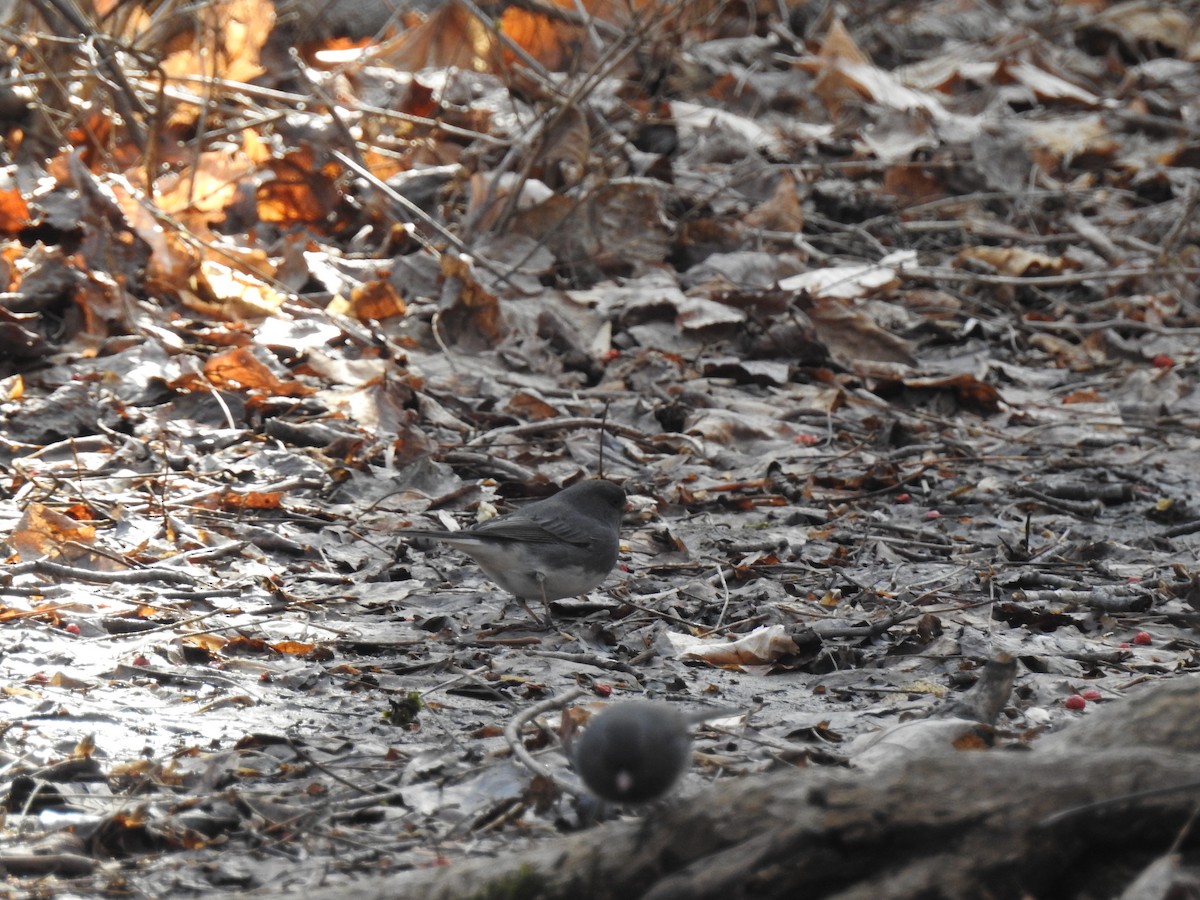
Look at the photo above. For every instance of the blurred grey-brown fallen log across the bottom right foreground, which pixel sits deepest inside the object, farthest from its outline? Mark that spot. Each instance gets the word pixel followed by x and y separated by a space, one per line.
pixel 1083 815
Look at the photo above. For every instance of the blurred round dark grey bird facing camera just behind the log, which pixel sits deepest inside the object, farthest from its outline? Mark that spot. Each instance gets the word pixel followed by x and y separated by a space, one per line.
pixel 635 752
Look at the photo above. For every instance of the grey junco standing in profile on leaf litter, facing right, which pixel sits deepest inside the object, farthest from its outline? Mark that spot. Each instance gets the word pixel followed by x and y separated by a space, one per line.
pixel 562 547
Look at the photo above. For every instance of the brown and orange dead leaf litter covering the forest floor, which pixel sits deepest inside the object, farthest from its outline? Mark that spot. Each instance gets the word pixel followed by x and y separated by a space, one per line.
pixel 887 325
